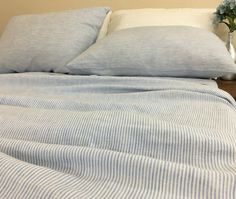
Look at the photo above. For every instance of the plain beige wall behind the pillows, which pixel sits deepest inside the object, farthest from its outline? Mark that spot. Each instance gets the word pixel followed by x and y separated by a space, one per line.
pixel 9 8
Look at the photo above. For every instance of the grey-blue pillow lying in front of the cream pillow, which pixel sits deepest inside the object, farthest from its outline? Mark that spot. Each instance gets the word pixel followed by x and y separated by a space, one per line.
pixel 175 51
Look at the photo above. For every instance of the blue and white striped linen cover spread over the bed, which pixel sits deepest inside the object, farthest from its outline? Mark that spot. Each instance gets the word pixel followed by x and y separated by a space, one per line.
pixel 115 137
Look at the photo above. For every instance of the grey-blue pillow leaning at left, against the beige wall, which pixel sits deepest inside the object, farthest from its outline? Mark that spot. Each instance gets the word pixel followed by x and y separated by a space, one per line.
pixel 47 42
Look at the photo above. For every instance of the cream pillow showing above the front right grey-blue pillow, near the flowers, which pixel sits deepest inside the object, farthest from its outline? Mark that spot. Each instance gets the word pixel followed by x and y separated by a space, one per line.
pixel 123 19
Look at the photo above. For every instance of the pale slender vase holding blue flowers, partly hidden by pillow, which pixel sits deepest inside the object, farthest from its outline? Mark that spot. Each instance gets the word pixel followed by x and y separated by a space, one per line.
pixel 230 48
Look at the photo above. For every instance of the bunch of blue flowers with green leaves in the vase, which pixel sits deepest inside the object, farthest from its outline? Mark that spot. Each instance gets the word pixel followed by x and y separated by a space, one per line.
pixel 226 13
